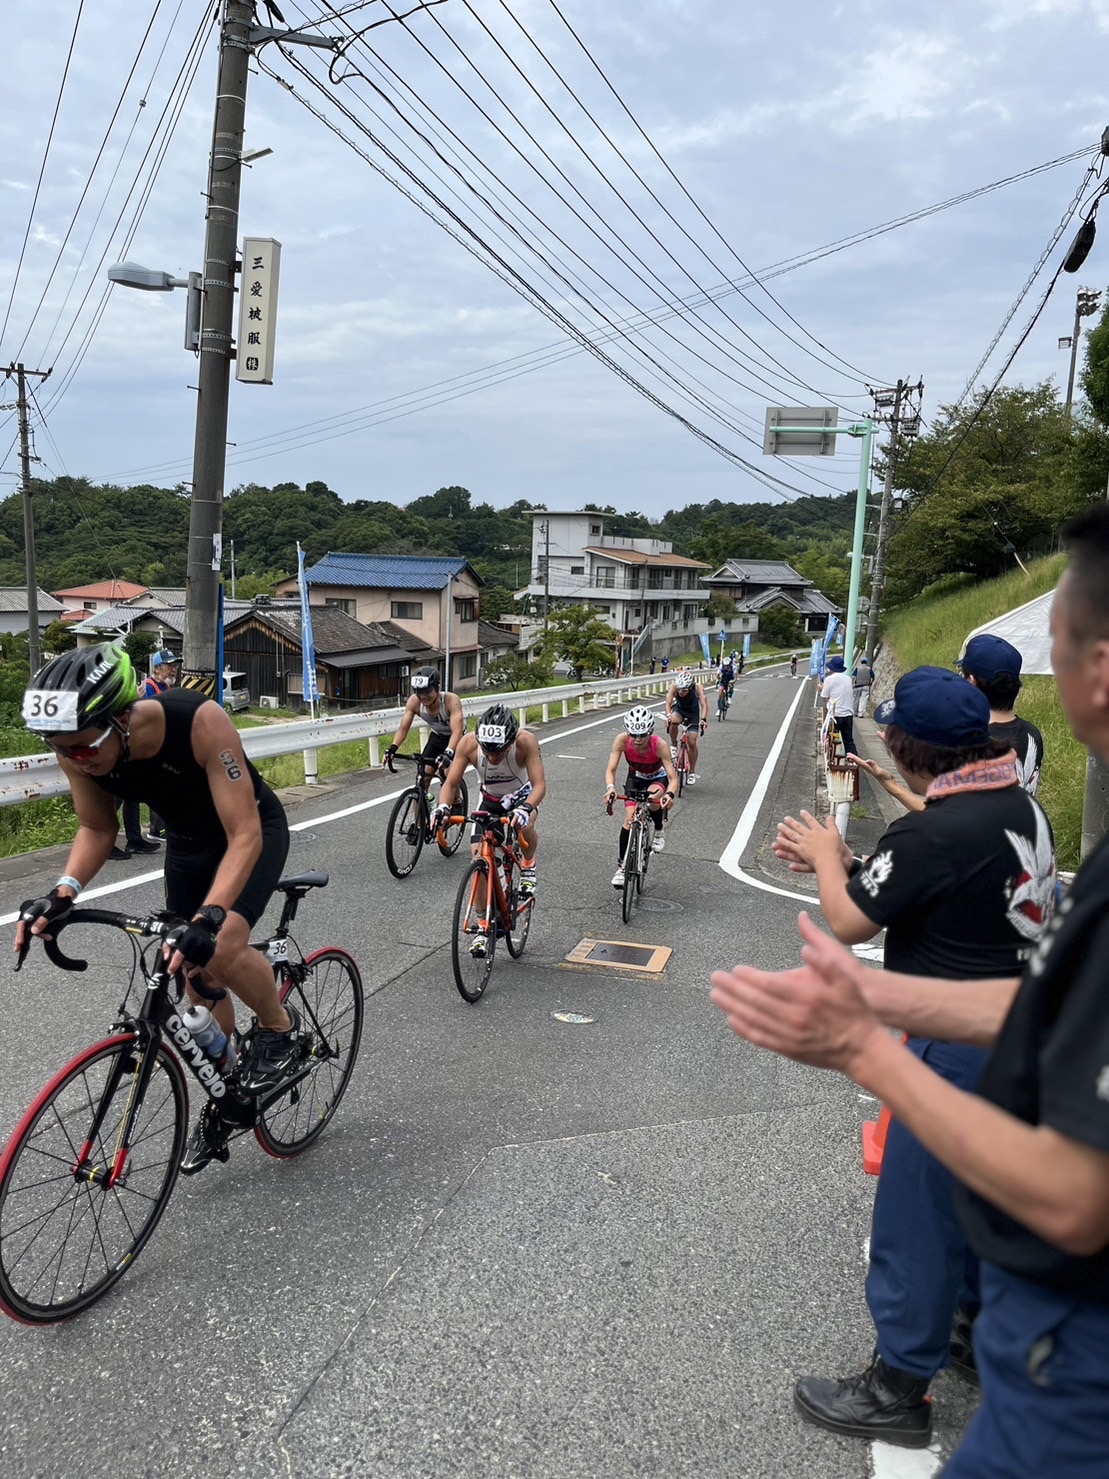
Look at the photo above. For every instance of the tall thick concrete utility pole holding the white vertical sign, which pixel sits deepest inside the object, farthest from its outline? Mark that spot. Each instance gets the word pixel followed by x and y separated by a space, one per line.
pixel 221 263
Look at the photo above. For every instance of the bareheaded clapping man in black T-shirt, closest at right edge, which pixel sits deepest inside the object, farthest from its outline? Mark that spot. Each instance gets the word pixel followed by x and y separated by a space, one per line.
pixel 1031 1148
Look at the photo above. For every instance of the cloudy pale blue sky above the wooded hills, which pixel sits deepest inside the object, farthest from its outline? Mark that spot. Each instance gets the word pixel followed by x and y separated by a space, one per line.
pixel 638 196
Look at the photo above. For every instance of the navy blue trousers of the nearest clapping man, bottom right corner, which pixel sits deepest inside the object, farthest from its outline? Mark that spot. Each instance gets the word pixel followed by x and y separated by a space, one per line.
pixel 1045 1366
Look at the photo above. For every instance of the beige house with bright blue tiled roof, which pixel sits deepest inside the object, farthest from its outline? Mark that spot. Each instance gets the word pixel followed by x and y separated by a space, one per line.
pixel 435 598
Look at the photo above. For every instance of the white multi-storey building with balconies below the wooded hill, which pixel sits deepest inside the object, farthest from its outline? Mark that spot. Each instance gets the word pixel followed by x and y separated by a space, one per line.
pixel 650 595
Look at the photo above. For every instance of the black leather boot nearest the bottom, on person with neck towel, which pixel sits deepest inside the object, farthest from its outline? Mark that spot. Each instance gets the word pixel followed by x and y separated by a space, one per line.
pixel 879 1403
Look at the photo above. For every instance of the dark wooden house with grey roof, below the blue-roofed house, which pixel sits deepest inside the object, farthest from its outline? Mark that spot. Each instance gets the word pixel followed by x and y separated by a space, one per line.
pixel 359 665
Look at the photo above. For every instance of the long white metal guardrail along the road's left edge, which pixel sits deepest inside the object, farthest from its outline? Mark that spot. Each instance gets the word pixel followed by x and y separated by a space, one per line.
pixel 38 777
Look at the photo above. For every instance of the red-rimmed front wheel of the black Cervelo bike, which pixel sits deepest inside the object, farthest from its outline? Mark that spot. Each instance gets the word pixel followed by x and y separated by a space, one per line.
pixel 66 1233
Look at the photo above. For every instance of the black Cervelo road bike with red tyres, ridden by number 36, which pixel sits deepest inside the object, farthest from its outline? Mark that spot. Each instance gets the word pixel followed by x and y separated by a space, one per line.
pixel 92 1165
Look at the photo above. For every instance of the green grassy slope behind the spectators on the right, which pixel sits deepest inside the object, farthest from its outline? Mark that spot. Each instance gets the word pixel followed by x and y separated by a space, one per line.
pixel 934 629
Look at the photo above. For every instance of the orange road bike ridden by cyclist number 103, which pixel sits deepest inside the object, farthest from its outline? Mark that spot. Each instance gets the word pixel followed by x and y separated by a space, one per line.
pixel 489 906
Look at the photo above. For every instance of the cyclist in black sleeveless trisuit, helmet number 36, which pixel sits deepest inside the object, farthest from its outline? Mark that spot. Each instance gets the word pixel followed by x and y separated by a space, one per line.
pixel 227 835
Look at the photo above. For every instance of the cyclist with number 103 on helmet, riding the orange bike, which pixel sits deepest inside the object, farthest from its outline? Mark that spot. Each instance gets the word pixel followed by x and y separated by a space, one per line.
pixel 511 770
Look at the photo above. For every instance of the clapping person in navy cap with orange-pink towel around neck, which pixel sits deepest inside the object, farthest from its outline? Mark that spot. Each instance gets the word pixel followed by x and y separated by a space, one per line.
pixel 962 890
